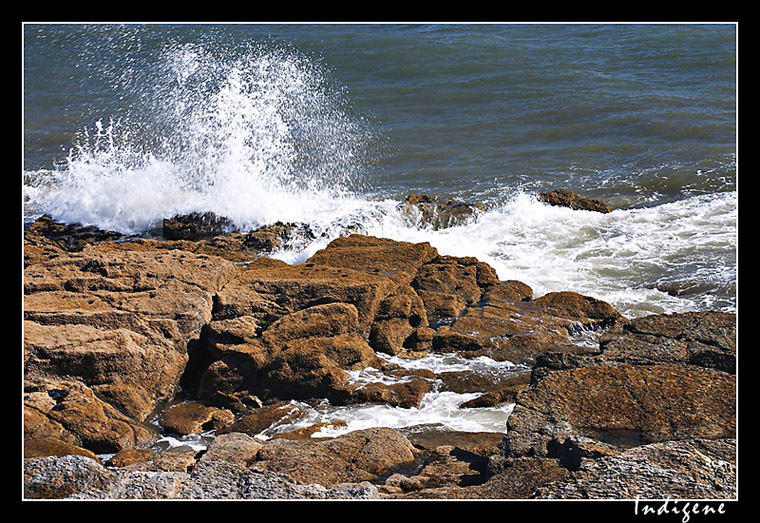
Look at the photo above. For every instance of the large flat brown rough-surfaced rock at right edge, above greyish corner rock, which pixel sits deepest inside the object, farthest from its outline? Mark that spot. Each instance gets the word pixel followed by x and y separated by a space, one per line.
pixel 622 405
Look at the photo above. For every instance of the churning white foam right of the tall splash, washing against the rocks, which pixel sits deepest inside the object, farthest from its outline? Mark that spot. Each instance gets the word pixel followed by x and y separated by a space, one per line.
pixel 672 257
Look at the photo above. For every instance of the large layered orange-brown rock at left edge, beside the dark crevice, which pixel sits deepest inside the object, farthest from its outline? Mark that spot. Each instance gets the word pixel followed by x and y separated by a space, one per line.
pixel 111 328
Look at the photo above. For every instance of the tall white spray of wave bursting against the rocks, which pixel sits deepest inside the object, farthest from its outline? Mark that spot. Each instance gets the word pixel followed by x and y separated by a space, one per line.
pixel 258 135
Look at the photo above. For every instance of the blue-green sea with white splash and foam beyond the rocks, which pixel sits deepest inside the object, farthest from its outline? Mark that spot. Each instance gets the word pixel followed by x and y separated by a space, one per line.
pixel 335 124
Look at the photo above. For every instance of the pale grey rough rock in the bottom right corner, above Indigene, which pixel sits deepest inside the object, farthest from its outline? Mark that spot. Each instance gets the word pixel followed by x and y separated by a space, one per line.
pixel 687 469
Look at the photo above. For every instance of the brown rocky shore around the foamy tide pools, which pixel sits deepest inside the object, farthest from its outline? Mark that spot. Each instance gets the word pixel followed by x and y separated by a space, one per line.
pixel 196 329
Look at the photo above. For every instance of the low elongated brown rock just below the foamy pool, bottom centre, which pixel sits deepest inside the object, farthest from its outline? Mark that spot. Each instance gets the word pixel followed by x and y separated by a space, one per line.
pixel 361 455
